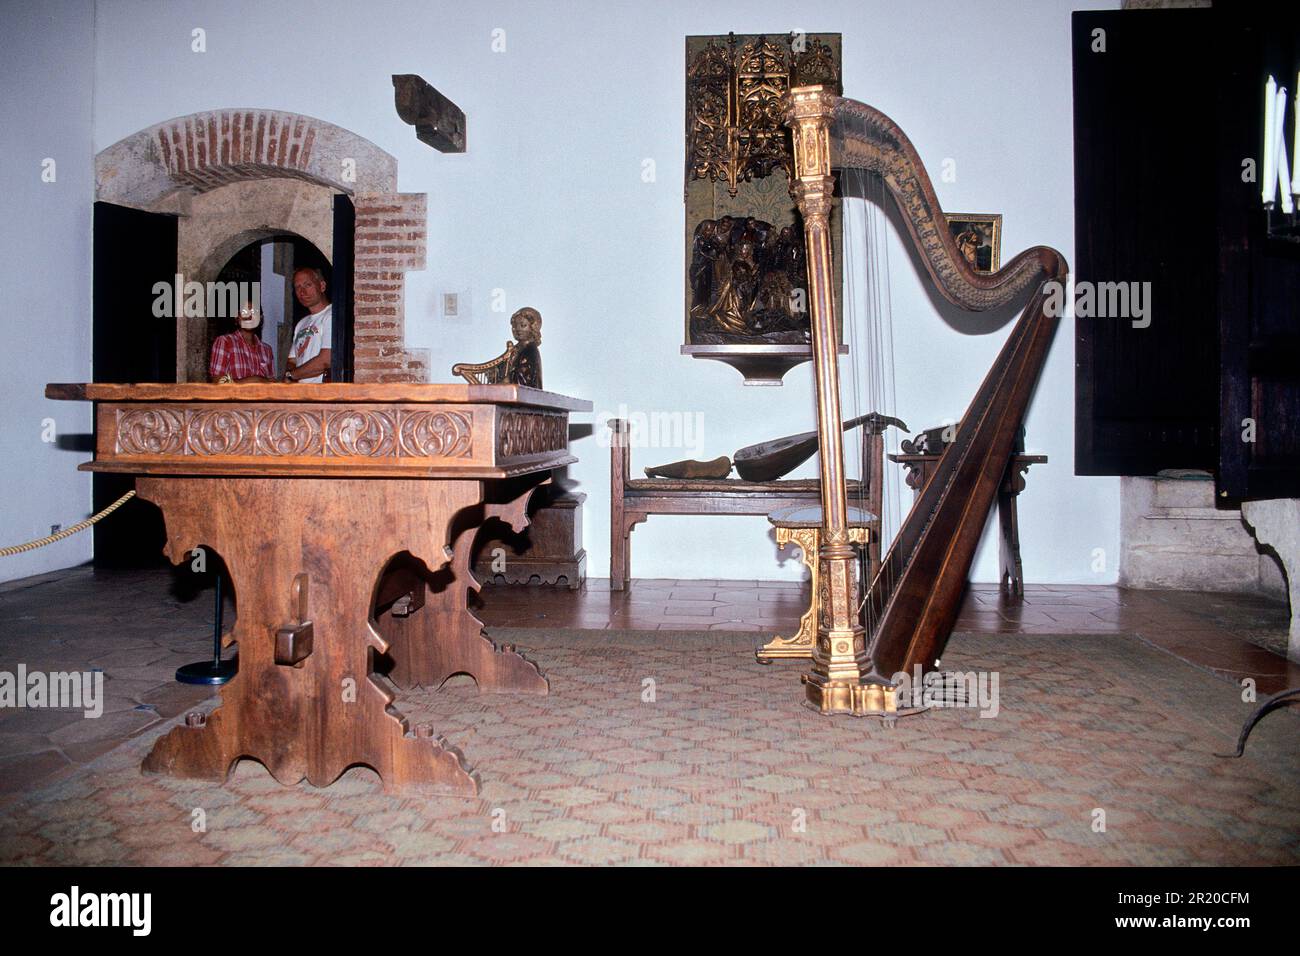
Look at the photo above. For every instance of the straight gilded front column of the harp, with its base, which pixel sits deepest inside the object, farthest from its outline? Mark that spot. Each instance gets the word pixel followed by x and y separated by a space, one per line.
pixel 839 681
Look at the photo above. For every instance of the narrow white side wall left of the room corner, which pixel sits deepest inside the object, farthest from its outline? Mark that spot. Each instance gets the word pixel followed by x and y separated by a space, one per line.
pixel 47 57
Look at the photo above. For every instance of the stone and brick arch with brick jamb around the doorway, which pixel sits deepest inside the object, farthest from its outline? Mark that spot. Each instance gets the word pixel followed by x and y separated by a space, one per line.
pixel 164 167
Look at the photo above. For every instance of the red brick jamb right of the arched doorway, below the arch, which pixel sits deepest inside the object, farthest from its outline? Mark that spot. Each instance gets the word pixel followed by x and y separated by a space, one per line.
pixel 391 241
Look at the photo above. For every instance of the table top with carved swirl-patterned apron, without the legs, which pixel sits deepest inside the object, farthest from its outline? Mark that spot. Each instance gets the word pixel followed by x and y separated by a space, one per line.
pixel 374 430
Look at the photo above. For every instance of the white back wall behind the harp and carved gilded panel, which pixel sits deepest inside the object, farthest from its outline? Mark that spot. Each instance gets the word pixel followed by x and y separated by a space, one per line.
pixel 549 205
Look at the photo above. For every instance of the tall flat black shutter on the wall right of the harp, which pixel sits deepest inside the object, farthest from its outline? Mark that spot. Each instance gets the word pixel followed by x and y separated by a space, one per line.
pixel 1145 213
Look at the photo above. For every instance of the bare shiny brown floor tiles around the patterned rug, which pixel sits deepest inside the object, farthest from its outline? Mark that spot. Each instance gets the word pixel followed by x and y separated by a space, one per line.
pixel 138 628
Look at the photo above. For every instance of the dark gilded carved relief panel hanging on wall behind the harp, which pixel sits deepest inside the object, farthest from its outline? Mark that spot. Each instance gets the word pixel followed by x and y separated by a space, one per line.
pixel 746 258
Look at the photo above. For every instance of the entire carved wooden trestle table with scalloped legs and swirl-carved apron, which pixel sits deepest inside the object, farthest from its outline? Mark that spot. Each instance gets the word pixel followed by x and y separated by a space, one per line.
pixel 310 494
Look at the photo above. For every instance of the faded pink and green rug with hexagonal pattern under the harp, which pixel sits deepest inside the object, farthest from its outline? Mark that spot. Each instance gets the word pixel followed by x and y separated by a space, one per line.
pixel 1099 751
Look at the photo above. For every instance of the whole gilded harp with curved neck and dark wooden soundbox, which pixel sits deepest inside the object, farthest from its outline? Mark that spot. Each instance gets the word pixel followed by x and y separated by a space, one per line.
pixel 913 600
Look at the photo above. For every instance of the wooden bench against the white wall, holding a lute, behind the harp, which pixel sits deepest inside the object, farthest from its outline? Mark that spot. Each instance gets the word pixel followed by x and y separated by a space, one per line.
pixel 635 500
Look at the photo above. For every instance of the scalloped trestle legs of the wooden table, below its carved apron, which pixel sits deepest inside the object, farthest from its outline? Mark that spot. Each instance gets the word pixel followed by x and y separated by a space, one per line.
pixel 305 556
